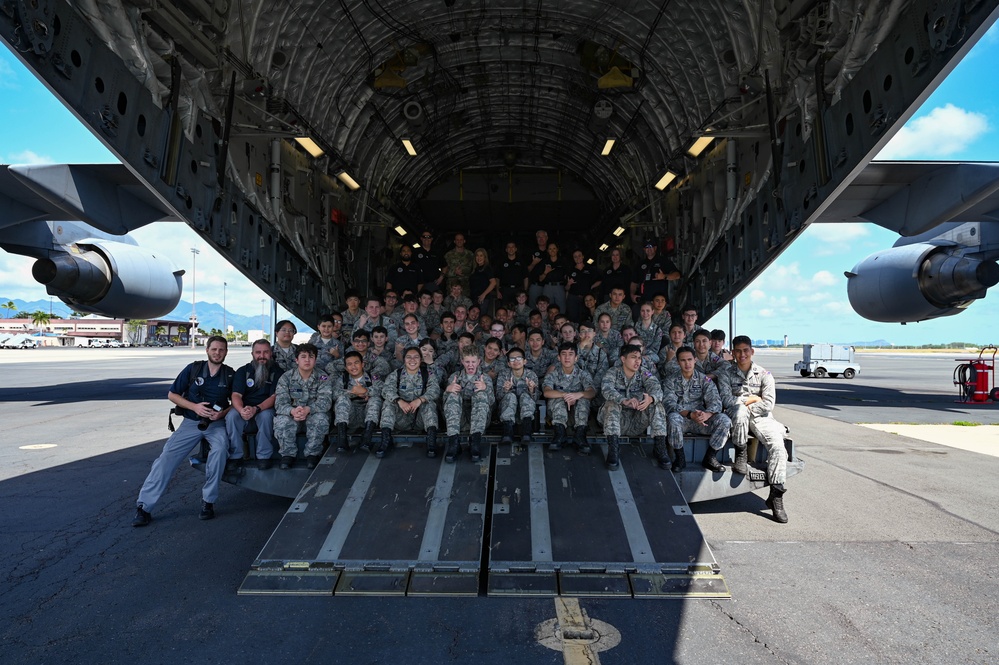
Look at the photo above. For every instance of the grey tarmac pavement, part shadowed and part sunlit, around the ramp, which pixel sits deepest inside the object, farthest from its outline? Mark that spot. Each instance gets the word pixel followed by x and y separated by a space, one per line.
pixel 889 555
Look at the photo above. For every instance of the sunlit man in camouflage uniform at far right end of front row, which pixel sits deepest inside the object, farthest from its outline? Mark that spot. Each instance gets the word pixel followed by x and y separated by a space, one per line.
pixel 753 395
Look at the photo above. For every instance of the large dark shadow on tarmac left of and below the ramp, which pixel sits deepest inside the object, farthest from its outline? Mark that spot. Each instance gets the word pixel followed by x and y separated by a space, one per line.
pixel 82 585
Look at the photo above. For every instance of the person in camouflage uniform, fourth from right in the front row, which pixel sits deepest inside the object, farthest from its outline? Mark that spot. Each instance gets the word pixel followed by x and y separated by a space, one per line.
pixel 569 387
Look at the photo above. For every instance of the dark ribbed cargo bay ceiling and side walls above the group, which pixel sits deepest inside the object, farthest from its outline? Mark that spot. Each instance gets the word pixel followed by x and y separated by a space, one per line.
pixel 508 107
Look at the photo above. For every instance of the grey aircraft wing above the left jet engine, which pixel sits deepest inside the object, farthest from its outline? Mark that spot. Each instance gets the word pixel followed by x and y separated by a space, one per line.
pixel 105 196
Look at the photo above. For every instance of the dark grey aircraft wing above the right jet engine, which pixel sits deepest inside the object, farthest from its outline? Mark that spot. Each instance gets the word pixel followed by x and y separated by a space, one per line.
pixel 913 197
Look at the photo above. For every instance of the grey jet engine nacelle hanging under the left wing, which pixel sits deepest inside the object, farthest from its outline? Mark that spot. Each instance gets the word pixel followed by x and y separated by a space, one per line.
pixel 112 279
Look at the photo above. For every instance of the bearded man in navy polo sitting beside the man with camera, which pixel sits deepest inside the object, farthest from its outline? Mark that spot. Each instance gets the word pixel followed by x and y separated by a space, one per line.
pixel 253 406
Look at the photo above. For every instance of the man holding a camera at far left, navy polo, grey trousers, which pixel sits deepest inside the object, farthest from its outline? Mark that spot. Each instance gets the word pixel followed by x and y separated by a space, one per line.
pixel 201 394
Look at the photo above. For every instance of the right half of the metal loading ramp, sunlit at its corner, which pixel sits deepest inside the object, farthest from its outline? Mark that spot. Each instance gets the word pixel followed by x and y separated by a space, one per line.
pixel 594 532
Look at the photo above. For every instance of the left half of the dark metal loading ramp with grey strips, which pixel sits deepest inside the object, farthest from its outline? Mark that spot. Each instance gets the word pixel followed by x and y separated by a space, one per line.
pixel 368 526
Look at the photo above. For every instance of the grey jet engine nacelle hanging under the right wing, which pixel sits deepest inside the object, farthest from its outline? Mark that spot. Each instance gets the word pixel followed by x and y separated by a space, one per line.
pixel 917 282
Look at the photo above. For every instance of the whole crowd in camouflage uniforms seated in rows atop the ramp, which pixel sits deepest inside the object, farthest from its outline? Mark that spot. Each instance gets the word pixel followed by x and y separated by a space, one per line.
pixel 383 369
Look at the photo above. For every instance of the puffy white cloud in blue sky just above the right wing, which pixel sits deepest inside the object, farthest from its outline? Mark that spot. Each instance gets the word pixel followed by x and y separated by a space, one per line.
pixel 943 132
